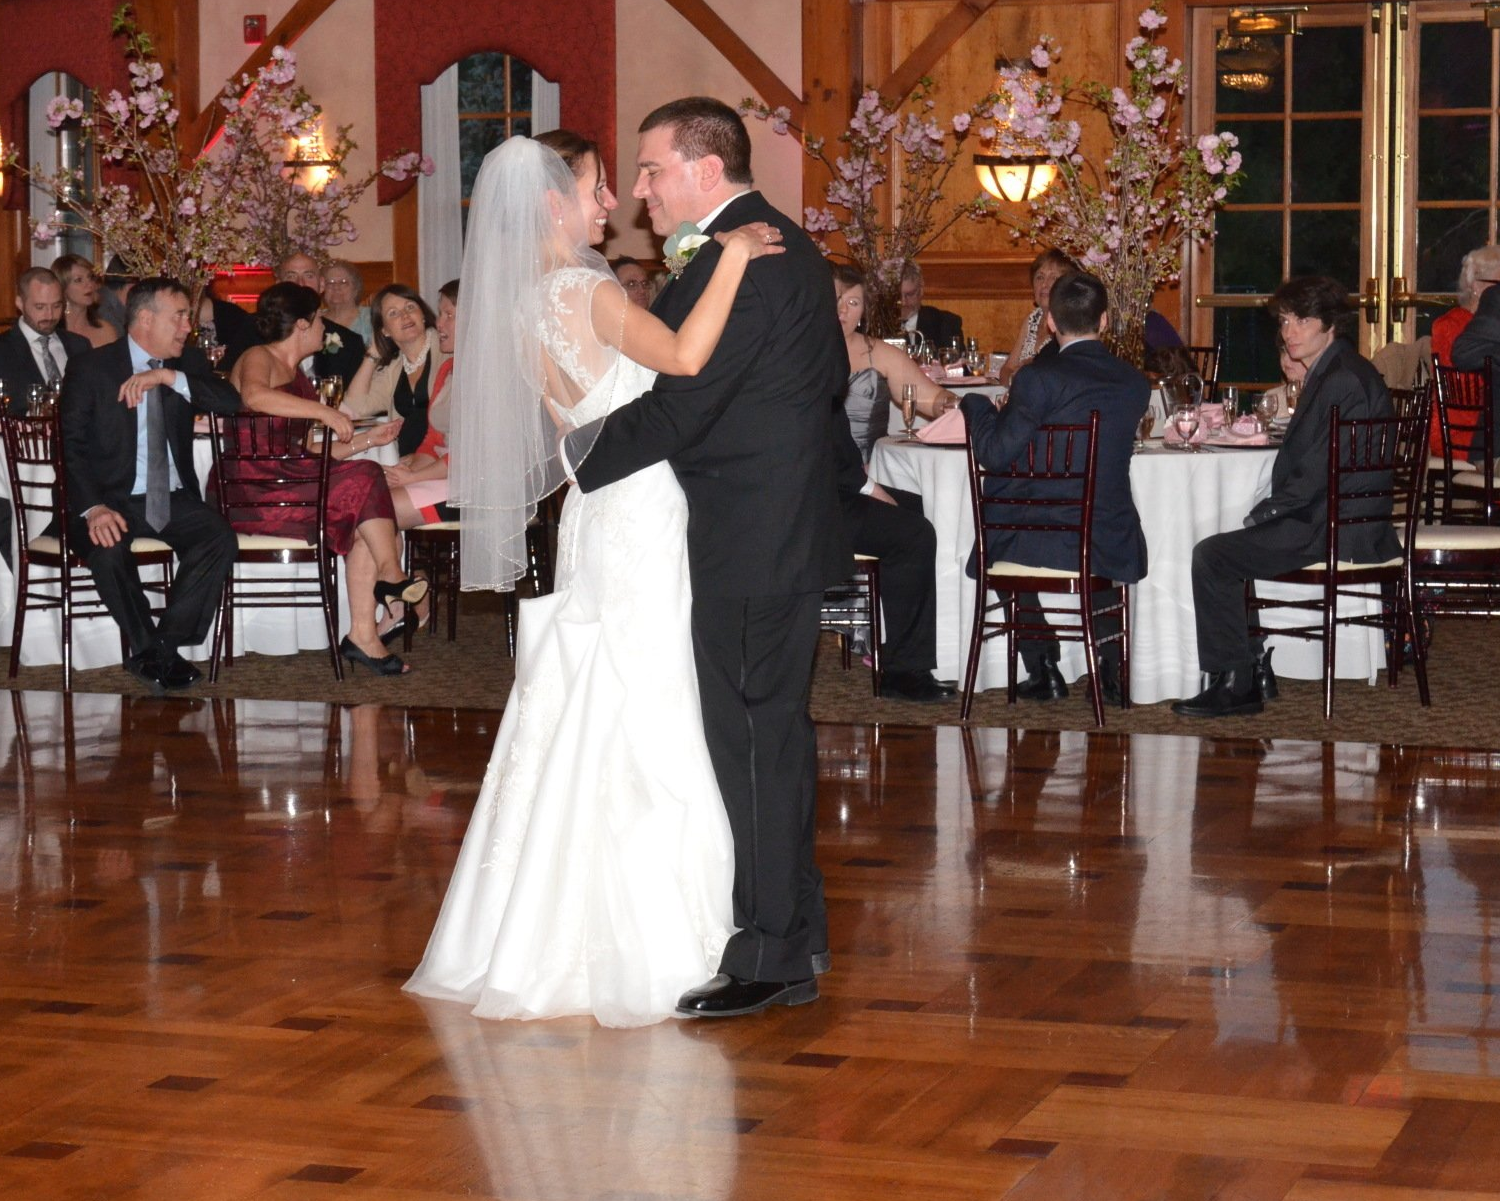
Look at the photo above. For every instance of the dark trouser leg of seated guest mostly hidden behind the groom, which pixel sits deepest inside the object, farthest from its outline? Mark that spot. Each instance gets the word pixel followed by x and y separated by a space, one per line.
pixel 907 548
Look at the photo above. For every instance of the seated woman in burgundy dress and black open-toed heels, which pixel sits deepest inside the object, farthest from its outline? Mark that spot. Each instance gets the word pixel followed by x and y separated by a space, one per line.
pixel 361 521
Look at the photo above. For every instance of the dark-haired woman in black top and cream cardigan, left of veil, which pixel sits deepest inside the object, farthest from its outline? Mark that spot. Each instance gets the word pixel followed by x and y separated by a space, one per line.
pixel 401 367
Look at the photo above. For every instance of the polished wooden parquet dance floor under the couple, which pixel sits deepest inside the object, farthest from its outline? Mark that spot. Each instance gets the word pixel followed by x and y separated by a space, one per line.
pixel 1066 966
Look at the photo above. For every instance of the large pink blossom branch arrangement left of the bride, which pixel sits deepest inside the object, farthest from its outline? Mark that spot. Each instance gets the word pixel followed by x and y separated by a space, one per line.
pixel 185 214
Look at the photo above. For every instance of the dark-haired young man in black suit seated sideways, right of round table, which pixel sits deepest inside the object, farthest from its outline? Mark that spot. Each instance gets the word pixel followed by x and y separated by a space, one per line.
pixel 1289 529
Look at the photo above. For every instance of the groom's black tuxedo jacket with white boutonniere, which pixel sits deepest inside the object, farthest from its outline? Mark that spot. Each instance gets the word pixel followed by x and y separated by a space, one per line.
pixel 751 436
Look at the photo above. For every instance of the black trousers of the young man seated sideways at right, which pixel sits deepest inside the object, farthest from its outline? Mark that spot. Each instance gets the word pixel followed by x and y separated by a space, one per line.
pixel 1222 565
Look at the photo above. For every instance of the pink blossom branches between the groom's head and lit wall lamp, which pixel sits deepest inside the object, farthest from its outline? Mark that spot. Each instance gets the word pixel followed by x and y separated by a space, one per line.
pixel 881 242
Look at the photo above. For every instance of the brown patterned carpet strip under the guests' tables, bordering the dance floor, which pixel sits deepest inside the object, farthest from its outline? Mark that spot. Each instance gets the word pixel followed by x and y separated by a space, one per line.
pixel 475 672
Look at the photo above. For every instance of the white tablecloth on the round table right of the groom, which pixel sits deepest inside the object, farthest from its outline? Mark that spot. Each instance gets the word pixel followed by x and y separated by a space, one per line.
pixel 1183 499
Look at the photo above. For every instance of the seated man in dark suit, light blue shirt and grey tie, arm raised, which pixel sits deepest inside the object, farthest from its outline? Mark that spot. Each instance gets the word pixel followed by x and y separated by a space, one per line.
pixel 127 419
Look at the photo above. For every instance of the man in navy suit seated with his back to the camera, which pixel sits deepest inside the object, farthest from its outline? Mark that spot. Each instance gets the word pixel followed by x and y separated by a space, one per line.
pixel 1066 389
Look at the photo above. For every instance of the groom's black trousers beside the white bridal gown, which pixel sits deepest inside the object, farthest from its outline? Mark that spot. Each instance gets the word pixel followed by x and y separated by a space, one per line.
pixel 755 669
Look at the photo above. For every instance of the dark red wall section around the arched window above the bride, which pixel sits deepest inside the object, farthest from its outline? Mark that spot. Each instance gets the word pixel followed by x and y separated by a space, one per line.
pixel 418 40
